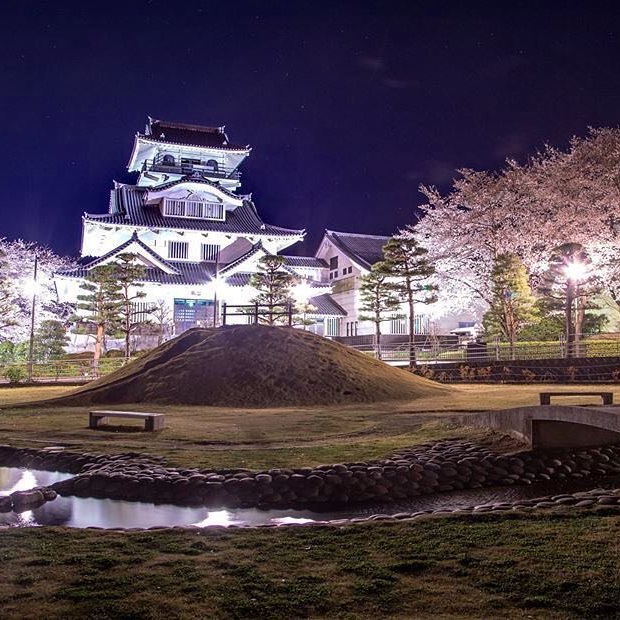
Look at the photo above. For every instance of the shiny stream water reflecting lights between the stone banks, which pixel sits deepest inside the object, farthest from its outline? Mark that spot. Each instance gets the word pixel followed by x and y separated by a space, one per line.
pixel 107 513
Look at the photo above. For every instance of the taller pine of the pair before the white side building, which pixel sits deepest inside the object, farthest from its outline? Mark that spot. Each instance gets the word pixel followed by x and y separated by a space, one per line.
pixel 409 269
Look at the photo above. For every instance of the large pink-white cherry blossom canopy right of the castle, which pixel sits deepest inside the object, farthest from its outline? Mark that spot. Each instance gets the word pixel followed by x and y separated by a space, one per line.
pixel 554 198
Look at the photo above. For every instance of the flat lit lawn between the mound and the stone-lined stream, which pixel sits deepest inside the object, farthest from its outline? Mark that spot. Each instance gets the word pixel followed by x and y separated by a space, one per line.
pixel 260 438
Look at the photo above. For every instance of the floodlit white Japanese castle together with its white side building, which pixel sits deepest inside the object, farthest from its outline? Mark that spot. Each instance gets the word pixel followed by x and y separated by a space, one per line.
pixel 200 240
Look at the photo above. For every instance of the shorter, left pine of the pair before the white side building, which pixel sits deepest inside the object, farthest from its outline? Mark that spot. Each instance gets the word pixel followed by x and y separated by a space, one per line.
pixel 378 298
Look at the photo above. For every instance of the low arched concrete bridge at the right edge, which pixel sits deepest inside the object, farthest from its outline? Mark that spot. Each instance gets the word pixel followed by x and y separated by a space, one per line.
pixel 554 426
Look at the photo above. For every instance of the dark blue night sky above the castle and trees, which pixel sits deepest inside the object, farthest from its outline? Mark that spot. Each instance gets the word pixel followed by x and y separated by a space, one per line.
pixel 348 106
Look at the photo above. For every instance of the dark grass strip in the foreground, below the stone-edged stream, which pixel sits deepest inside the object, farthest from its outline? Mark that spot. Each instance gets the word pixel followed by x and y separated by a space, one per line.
pixel 557 565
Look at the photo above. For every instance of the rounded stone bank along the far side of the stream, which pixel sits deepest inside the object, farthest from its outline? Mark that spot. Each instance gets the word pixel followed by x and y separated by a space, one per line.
pixel 426 469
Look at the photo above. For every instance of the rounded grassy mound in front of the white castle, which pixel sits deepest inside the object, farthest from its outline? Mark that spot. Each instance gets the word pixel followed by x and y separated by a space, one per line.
pixel 254 366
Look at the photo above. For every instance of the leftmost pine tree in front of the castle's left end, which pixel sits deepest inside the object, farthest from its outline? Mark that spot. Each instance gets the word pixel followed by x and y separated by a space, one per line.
pixel 102 303
